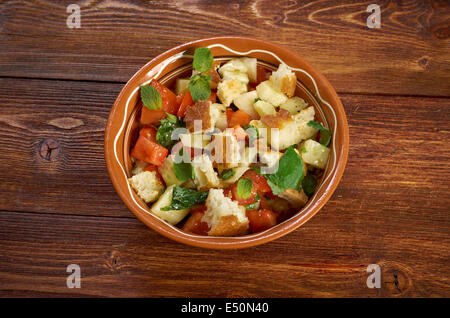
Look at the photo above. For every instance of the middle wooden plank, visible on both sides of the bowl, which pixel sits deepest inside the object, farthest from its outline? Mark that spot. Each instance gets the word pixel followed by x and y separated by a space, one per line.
pixel 398 152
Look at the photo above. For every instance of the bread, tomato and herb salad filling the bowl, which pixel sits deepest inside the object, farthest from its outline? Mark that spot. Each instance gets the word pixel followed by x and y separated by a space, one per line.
pixel 228 151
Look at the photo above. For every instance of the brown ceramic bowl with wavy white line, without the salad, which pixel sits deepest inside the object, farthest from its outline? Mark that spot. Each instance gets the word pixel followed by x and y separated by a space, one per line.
pixel 311 86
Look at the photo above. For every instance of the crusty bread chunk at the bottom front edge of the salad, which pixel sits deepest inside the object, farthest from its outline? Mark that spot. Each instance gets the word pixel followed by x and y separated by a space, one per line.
pixel 224 216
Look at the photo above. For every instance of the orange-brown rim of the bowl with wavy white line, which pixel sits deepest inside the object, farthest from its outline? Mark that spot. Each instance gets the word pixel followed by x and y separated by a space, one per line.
pixel 277 231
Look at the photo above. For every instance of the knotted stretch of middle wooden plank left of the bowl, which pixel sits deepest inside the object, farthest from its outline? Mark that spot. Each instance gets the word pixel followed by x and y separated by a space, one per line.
pixel 51 136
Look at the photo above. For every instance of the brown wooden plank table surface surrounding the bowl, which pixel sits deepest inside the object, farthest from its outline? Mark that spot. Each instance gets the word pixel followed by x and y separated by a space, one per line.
pixel 58 206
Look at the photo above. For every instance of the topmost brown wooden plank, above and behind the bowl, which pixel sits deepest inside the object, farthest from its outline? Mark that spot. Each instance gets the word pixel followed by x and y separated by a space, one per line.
pixel 408 55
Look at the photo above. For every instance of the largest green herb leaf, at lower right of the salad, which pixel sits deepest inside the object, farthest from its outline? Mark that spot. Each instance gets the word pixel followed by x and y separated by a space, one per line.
pixel 289 174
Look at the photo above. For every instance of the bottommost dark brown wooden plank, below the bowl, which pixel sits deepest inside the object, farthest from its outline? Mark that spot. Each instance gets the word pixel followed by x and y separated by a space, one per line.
pixel 112 252
